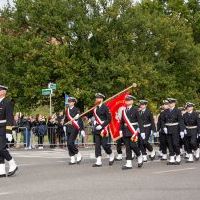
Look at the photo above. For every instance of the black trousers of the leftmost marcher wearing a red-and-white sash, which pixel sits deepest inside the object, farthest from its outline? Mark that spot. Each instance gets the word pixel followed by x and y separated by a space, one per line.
pixel 72 134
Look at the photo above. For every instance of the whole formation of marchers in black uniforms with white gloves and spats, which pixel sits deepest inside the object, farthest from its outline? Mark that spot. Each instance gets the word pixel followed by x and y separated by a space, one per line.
pixel 178 129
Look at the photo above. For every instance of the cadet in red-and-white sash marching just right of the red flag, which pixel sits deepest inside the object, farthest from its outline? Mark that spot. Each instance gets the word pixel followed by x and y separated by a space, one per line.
pixel 130 122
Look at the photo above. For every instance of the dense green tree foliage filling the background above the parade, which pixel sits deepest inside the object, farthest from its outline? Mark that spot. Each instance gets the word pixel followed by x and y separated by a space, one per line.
pixel 87 46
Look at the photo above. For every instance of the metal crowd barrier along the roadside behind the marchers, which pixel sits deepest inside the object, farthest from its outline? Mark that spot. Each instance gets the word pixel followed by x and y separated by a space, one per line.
pixel 29 139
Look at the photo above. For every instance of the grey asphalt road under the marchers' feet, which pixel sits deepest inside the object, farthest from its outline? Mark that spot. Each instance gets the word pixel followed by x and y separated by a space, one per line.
pixel 47 175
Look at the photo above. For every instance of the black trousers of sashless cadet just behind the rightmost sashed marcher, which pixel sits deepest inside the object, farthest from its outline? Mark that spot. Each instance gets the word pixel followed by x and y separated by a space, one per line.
pixel 144 144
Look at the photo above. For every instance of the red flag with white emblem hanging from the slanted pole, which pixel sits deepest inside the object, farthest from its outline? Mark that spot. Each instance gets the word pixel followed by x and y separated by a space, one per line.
pixel 116 106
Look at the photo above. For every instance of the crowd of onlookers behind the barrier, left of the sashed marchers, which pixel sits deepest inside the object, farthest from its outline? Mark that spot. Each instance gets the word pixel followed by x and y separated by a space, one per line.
pixel 37 130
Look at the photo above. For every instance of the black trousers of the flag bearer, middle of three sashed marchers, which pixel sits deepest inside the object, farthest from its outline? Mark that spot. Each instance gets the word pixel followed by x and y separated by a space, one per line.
pixel 101 141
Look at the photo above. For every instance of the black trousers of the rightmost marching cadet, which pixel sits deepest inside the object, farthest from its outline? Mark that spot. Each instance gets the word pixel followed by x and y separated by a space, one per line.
pixel 190 143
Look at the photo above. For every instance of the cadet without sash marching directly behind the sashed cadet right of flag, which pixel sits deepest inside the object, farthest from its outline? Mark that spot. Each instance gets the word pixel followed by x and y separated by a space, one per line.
pixel 146 117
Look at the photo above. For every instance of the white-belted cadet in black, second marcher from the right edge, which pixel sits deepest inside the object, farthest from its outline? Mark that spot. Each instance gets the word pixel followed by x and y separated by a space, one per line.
pixel 173 126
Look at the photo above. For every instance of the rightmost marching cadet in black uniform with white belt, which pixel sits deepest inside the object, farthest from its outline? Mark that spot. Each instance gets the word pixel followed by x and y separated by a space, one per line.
pixel 192 124
